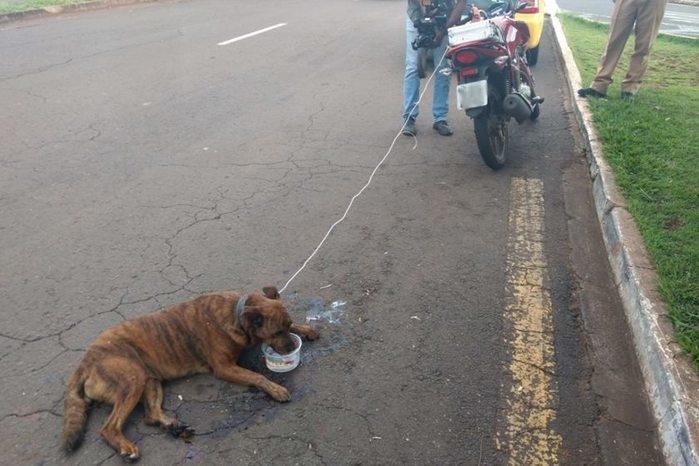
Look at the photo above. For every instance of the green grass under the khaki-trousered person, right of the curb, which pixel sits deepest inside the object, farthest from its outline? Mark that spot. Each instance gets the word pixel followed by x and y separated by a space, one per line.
pixel 652 145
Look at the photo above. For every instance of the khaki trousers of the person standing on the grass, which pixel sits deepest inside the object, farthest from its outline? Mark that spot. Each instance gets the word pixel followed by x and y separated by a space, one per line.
pixel 647 16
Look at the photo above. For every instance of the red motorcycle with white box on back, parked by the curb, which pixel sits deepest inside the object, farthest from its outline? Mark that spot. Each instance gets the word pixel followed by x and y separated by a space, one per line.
pixel 494 80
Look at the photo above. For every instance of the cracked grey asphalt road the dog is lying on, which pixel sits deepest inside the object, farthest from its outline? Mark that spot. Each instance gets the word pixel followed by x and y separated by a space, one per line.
pixel 142 163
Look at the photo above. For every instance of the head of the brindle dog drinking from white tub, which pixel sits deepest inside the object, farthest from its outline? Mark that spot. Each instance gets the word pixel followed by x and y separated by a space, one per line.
pixel 266 319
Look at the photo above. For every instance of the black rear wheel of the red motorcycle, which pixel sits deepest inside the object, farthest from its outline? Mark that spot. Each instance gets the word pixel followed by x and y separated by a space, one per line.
pixel 492 133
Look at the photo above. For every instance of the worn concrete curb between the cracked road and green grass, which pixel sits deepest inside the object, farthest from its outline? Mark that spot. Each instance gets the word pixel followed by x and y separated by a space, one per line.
pixel 672 383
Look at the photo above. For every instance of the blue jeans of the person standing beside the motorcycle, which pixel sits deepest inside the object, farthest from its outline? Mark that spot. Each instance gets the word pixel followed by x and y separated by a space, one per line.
pixel 411 82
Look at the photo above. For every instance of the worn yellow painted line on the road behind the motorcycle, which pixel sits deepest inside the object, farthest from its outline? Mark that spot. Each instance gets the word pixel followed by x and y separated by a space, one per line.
pixel 529 406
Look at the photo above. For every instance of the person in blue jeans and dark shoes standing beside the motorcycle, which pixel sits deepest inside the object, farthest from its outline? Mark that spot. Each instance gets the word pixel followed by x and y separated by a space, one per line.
pixel 411 81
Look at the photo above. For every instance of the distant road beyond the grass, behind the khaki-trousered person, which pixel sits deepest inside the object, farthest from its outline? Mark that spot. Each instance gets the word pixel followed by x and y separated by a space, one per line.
pixel 681 20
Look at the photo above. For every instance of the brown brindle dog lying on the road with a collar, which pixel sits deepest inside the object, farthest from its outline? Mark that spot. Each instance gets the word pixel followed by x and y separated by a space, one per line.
pixel 128 362
